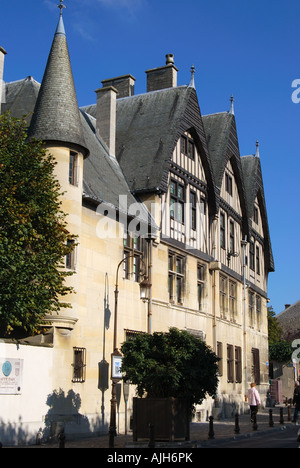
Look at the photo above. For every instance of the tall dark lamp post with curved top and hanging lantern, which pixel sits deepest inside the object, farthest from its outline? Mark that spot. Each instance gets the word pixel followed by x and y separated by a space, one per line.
pixel 116 356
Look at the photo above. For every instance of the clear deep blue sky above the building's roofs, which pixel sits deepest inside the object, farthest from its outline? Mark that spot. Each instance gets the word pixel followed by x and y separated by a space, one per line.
pixel 246 48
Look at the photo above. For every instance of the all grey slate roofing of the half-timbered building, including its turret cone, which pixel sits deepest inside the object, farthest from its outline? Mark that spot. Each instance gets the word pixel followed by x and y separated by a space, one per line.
pixel 148 128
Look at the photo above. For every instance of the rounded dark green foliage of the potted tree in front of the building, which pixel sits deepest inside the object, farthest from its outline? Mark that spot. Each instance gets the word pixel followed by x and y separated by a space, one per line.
pixel 173 364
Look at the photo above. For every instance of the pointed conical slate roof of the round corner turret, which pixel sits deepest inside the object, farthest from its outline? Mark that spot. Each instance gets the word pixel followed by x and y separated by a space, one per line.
pixel 56 116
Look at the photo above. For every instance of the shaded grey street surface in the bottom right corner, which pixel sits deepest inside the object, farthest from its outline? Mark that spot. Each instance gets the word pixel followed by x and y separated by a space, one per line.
pixel 282 439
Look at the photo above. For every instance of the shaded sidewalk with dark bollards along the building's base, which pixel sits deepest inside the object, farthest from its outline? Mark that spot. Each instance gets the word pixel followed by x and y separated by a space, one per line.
pixel 223 431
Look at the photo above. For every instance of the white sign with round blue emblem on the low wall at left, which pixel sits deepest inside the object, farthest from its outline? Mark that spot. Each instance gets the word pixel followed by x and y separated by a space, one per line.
pixel 11 373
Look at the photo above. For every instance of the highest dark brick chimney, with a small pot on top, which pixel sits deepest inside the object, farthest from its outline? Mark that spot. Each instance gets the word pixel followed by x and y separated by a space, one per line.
pixel 162 77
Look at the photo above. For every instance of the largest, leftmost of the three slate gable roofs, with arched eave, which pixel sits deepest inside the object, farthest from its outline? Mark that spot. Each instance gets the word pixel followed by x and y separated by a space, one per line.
pixel 148 128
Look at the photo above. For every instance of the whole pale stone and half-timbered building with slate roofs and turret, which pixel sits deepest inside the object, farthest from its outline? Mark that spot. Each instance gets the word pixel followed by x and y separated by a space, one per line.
pixel 159 196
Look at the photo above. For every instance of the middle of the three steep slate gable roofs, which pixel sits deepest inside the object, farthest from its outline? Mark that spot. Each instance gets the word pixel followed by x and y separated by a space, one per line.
pixel 222 141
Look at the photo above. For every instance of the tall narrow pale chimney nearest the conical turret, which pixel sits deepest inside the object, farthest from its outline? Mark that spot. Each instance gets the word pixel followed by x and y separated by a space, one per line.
pixel 106 116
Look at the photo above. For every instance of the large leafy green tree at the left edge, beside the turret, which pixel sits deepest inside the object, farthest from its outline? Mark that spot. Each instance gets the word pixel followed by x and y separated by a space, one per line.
pixel 33 232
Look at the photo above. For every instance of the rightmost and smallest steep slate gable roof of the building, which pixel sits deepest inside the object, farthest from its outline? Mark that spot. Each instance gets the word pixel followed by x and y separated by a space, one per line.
pixel 254 187
